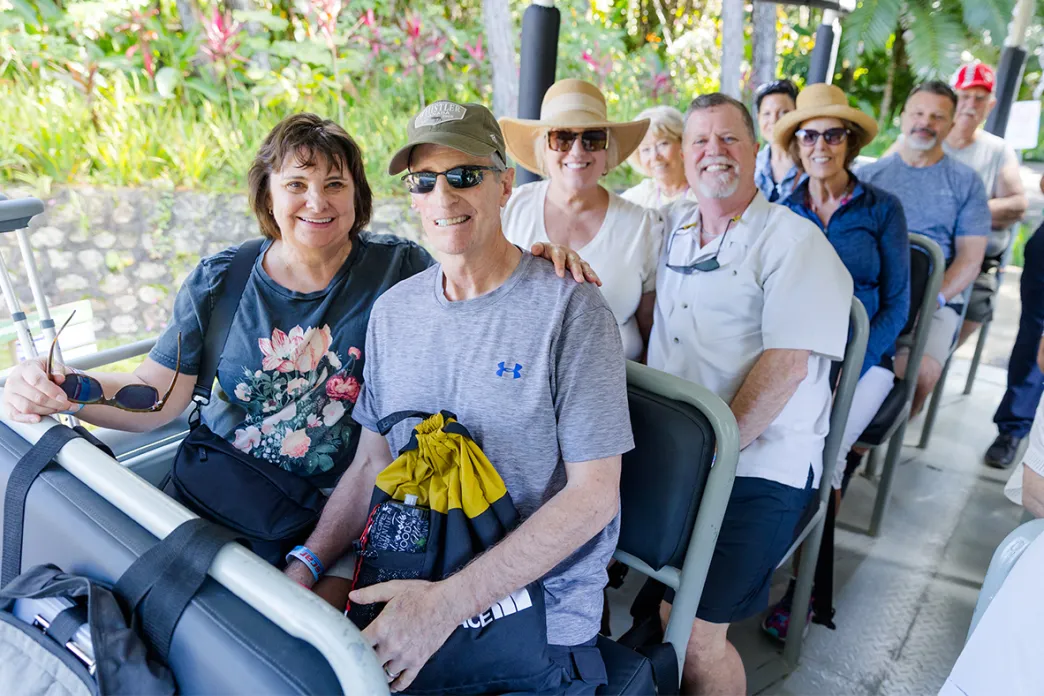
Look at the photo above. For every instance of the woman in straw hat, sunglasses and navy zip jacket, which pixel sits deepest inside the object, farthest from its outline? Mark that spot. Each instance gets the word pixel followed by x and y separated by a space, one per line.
pixel 868 230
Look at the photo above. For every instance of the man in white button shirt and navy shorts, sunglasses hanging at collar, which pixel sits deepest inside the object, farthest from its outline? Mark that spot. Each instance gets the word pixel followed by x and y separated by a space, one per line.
pixel 752 303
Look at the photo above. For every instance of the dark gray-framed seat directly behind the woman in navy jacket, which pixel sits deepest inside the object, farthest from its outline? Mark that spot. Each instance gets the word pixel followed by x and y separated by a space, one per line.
pixel 890 424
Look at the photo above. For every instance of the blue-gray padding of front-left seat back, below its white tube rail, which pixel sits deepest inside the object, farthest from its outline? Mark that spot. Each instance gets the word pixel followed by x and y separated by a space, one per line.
pixel 222 644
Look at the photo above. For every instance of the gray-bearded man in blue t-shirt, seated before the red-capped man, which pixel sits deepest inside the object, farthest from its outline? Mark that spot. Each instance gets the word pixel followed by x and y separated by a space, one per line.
pixel 944 201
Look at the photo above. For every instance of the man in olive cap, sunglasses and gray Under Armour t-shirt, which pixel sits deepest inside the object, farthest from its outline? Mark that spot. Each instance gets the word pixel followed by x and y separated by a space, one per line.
pixel 532 365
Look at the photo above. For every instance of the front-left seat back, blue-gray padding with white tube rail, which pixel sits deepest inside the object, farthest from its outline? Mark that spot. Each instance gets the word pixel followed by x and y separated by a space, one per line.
pixel 224 643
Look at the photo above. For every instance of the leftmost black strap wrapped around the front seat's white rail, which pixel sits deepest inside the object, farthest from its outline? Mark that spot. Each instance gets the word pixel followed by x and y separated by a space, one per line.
pixel 26 472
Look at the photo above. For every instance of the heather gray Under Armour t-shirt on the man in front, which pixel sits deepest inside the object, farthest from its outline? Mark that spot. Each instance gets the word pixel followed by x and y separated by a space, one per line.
pixel 536 372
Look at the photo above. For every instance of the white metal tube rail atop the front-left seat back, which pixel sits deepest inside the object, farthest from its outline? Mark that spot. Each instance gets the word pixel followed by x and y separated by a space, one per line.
pixel 297 611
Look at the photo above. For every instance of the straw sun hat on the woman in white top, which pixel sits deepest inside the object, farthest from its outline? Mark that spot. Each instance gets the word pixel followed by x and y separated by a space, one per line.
pixel 571 104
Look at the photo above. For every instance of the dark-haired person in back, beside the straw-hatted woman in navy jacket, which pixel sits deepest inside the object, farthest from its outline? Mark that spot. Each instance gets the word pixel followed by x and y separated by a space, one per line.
pixel 776 173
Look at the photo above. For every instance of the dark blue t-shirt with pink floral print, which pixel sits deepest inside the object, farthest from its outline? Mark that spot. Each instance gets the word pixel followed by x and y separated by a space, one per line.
pixel 292 370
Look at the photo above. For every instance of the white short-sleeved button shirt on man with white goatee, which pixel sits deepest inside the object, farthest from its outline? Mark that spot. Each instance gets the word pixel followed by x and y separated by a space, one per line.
pixel 780 285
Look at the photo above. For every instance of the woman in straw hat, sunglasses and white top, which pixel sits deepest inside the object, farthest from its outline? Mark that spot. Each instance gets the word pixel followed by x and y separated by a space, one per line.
pixel 574 146
